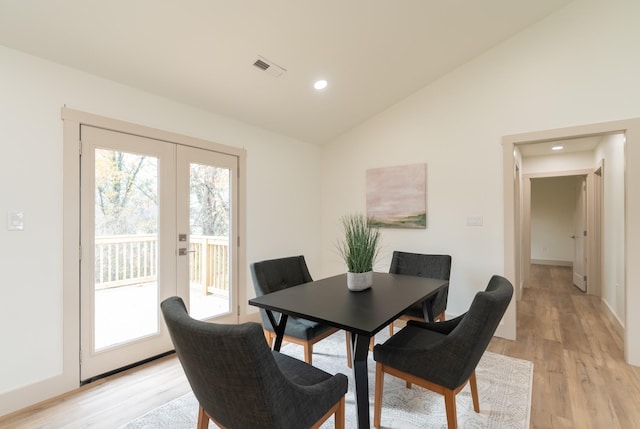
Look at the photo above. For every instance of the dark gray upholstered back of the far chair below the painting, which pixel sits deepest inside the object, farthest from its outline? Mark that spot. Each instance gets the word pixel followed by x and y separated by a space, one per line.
pixel 423 265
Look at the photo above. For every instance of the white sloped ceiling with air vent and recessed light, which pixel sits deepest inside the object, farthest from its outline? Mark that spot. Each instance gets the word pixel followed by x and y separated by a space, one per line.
pixel 374 53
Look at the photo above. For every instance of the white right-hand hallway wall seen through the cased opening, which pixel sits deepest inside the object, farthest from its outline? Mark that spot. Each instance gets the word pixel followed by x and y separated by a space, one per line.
pixel 611 150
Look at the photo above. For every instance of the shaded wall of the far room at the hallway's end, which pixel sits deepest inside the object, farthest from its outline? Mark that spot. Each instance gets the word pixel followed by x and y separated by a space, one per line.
pixel 553 203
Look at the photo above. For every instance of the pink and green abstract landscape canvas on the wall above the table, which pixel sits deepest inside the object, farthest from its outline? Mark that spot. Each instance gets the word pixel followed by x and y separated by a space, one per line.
pixel 397 196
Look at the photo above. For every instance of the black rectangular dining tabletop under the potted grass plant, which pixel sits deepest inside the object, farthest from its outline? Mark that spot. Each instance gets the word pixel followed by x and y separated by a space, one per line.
pixel 330 302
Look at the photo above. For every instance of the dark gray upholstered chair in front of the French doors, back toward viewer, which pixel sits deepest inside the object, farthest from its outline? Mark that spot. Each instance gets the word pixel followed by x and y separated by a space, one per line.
pixel 240 383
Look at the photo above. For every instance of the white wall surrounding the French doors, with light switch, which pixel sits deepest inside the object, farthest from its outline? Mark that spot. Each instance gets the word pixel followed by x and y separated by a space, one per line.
pixel 283 208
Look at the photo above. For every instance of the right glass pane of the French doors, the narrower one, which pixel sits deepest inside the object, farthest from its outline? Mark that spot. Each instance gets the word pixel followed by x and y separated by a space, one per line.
pixel 209 241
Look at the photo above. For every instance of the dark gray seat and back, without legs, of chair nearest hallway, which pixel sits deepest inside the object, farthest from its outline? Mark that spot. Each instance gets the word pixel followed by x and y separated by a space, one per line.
pixel 447 353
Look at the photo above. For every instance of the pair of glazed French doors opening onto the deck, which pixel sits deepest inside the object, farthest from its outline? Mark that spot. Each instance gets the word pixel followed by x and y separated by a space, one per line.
pixel 157 219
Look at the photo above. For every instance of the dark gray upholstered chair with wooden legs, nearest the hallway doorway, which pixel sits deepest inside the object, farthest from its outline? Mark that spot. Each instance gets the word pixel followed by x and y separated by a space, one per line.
pixel 443 356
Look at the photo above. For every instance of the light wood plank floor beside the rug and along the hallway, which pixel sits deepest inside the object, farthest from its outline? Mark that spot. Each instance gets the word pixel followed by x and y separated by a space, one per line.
pixel 580 378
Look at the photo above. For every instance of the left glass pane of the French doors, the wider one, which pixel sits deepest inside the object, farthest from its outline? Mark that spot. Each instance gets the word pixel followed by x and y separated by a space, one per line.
pixel 126 247
